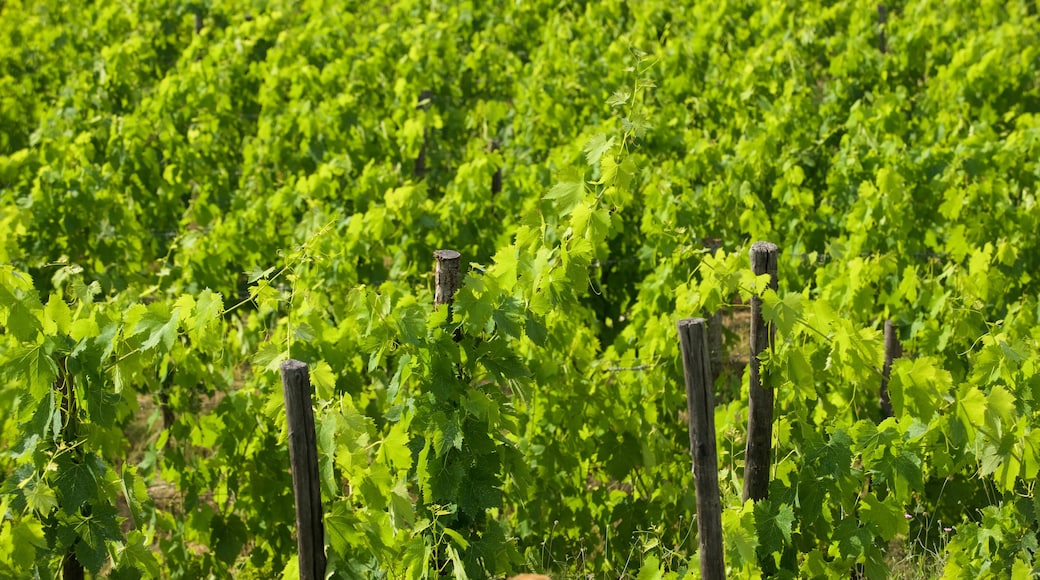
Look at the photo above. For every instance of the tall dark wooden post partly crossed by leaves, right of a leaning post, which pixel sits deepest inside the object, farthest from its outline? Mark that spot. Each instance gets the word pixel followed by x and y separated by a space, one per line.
pixel 760 451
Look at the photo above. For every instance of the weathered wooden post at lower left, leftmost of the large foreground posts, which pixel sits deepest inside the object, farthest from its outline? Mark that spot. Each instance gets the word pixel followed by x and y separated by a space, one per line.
pixel 304 458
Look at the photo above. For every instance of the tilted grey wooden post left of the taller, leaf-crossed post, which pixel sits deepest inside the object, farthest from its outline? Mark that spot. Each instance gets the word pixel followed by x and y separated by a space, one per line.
pixel 700 407
